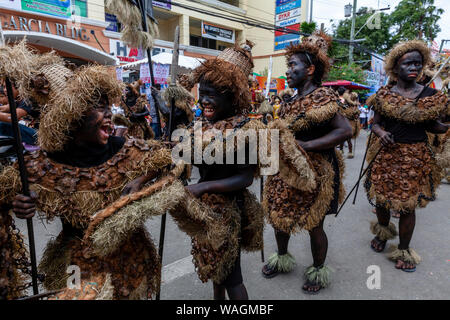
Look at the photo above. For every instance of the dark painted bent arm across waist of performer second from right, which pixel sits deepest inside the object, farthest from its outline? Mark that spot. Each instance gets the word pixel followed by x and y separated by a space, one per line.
pixel 341 131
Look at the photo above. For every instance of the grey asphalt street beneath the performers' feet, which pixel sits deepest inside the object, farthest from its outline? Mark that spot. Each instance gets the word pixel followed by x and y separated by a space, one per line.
pixel 349 254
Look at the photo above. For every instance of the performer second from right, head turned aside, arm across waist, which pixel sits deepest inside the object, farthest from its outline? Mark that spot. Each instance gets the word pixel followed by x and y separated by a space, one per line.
pixel 309 184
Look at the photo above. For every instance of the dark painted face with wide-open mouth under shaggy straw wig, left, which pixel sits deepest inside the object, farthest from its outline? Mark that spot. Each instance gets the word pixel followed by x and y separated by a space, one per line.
pixel 97 126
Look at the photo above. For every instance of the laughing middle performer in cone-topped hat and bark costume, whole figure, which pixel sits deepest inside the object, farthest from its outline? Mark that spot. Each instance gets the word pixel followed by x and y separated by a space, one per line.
pixel 227 218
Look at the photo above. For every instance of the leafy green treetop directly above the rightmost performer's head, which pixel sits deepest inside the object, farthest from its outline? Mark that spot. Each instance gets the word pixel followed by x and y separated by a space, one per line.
pixel 416 19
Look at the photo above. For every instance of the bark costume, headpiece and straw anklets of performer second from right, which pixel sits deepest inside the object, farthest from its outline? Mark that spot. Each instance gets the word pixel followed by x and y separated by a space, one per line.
pixel 309 184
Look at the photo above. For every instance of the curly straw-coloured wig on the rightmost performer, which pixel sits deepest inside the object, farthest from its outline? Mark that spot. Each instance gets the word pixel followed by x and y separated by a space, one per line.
pixel 403 48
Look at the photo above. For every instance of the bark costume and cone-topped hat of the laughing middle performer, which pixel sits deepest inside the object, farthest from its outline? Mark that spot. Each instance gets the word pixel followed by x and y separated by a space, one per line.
pixel 224 223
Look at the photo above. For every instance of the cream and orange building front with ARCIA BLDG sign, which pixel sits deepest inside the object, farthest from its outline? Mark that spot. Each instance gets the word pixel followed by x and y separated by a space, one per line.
pixel 82 31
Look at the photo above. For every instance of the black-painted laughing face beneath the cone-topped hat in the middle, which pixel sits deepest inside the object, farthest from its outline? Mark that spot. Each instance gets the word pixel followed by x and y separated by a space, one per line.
pixel 216 104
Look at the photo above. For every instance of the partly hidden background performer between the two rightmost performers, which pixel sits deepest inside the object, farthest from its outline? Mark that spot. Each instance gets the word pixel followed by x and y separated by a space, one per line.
pixel 349 108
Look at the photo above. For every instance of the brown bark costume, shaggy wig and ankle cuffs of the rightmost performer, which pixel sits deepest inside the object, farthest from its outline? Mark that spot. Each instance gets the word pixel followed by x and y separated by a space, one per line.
pixel 404 176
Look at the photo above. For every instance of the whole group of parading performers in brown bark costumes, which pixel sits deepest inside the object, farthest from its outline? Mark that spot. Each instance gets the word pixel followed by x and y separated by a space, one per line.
pixel 98 159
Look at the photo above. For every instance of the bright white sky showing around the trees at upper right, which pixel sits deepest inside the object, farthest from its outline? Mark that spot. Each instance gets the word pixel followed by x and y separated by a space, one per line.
pixel 324 10
